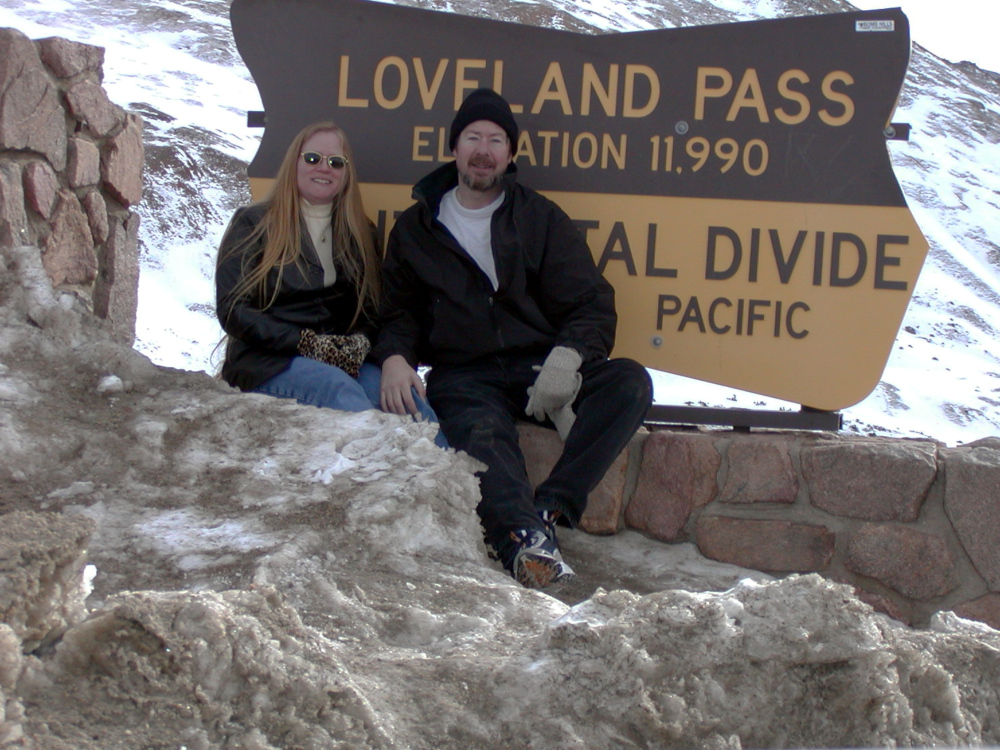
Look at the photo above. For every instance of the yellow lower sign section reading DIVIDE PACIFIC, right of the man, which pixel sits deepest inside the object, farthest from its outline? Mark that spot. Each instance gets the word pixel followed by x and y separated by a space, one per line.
pixel 800 302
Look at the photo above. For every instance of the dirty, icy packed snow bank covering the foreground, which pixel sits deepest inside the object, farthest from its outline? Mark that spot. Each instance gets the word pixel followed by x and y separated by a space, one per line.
pixel 265 575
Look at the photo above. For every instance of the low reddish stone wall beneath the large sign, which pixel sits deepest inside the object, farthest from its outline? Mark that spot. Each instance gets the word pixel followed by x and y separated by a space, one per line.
pixel 912 524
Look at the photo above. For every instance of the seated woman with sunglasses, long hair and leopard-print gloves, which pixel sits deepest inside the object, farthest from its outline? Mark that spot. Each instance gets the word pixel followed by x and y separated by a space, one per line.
pixel 298 282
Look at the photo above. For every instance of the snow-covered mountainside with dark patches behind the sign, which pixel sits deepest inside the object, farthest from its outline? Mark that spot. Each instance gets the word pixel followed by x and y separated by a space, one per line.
pixel 175 63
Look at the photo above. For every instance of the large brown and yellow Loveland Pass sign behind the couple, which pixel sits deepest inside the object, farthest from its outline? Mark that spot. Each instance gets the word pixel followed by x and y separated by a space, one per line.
pixel 732 181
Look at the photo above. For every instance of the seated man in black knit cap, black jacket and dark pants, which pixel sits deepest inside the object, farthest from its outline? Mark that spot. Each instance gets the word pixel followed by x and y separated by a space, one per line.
pixel 493 285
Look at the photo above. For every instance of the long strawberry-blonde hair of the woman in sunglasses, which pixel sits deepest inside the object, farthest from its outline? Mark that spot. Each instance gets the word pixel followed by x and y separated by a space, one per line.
pixel 281 230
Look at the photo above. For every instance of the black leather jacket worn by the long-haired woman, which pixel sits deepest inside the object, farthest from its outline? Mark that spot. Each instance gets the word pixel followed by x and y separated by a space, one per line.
pixel 262 342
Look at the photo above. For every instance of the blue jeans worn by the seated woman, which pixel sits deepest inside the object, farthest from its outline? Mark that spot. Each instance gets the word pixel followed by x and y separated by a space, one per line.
pixel 318 384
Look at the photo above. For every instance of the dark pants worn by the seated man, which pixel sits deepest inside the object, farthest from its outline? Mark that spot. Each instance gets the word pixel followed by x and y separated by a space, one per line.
pixel 479 405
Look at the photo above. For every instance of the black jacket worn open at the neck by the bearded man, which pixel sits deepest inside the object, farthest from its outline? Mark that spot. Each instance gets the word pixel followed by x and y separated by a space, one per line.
pixel 439 307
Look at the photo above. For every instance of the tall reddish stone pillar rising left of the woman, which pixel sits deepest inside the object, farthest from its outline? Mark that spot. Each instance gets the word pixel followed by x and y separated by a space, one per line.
pixel 70 170
